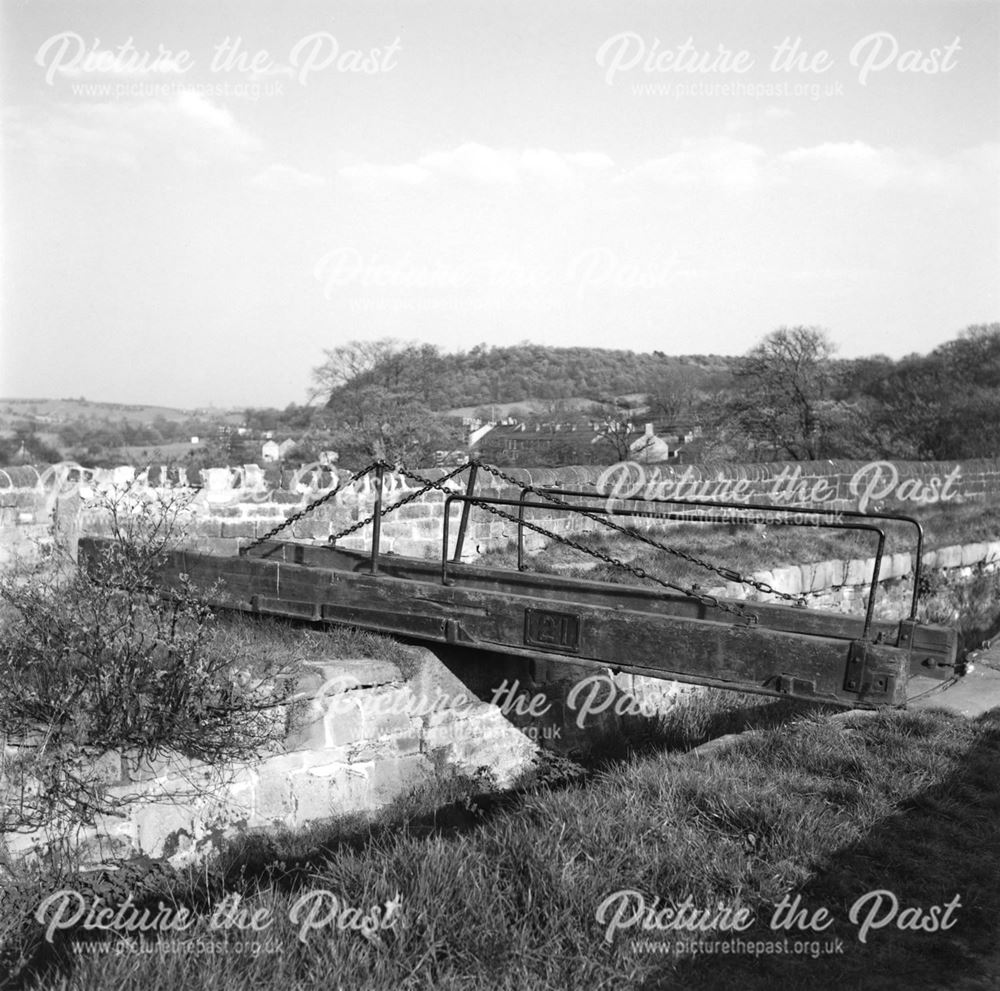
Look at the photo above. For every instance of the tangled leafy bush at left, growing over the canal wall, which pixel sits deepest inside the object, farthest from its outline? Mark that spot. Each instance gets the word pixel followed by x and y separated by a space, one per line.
pixel 99 660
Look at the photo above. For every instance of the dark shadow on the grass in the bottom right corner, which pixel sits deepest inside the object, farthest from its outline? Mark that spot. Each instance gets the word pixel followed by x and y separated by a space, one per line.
pixel 943 843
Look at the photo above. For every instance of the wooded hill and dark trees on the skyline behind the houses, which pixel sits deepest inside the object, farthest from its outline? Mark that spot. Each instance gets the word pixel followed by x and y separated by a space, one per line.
pixel 788 398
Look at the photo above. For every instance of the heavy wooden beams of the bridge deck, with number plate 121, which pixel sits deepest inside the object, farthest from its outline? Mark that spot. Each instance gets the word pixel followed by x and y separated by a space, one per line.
pixel 787 651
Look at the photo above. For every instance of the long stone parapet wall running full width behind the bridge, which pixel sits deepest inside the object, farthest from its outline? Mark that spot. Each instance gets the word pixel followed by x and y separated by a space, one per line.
pixel 232 506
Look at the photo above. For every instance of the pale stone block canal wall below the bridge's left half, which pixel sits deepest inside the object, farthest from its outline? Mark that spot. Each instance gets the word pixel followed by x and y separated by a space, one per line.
pixel 368 735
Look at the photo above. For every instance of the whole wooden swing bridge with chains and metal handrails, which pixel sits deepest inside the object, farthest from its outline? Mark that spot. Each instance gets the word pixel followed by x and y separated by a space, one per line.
pixel 656 628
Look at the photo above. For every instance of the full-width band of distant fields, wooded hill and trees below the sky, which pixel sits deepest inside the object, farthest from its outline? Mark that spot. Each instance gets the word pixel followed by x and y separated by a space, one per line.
pixel 789 397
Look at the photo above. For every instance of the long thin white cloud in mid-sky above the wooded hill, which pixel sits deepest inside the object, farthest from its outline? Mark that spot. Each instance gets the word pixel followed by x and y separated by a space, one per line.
pixel 481 165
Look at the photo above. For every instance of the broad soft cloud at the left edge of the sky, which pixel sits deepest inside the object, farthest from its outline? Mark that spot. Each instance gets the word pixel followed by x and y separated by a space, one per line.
pixel 187 127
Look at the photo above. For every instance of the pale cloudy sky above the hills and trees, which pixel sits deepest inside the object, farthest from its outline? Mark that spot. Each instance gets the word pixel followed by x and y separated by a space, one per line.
pixel 198 198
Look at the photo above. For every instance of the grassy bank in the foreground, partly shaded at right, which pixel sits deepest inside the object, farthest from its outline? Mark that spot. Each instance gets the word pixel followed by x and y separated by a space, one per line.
pixel 507 894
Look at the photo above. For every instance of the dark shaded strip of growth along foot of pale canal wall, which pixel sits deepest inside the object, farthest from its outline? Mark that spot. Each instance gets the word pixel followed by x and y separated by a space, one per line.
pixel 286 862
